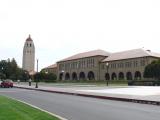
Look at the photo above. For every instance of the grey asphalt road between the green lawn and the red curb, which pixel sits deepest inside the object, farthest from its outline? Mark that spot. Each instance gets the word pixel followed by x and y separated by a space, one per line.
pixel 83 108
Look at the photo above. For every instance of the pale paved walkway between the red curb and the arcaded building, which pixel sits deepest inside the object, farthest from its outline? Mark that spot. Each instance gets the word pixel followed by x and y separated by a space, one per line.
pixel 138 94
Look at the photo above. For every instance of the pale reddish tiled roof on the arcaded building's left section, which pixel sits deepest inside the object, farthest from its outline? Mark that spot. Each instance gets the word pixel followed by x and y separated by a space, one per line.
pixel 87 54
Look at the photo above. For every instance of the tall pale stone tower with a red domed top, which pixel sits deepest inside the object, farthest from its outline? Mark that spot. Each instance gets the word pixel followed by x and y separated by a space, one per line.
pixel 28 61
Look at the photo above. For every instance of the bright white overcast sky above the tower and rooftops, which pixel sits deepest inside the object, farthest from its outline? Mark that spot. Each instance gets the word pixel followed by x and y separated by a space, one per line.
pixel 62 28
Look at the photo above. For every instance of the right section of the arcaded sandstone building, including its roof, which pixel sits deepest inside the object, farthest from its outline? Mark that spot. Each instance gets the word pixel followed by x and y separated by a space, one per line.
pixel 127 65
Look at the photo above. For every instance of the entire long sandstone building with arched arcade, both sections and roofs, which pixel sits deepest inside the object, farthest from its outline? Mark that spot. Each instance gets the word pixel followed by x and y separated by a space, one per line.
pixel 102 65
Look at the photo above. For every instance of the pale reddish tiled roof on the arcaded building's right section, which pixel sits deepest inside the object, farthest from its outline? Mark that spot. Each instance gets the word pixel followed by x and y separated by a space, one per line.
pixel 135 53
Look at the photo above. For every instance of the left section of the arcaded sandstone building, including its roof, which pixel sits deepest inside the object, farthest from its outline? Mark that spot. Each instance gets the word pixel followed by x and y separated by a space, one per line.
pixel 83 66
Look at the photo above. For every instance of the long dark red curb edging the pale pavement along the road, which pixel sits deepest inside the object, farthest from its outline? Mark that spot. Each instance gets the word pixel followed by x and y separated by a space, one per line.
pixel 97 96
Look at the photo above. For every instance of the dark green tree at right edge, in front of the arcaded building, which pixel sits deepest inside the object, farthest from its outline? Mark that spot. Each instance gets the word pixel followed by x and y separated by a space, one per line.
pixel 153 70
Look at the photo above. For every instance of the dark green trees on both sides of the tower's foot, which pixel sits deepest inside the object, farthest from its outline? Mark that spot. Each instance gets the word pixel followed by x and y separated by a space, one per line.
pixel 10 70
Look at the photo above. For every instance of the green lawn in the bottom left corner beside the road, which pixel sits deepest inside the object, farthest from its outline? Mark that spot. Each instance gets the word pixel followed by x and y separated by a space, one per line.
pixel 14 110
